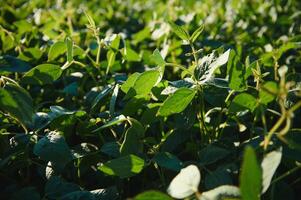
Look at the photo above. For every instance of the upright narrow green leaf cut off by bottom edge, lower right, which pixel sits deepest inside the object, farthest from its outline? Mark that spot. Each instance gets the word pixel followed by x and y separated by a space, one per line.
pixel 250 176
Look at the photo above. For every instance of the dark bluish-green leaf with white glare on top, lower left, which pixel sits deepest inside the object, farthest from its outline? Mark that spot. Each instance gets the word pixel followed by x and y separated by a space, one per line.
pixel 53 148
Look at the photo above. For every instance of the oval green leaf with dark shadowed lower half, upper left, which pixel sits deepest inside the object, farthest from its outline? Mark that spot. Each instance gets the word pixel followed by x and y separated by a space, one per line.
pixel 42 74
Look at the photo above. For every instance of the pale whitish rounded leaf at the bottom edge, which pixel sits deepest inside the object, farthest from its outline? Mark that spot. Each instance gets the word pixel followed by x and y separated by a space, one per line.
pixel 185 183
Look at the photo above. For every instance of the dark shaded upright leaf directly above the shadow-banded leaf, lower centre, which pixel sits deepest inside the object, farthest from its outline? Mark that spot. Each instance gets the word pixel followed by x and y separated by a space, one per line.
pixel 132 143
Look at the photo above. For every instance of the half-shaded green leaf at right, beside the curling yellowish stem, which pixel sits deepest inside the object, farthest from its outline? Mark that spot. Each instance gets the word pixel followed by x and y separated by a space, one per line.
pixel 243 102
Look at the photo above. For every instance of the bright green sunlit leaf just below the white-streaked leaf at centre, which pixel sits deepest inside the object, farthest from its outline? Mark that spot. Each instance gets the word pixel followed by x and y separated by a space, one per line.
pixel 177 102
